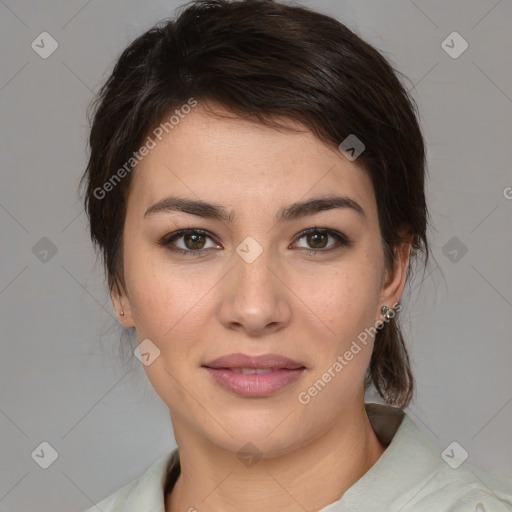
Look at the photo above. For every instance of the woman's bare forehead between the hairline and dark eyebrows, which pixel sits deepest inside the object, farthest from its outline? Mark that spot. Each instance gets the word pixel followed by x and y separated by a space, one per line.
pixel 231 160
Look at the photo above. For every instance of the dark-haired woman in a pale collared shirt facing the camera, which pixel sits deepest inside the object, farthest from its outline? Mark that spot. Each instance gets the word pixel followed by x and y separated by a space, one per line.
pixel 256 187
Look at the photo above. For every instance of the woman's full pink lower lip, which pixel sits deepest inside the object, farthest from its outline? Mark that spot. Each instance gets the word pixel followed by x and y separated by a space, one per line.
pixel 254 385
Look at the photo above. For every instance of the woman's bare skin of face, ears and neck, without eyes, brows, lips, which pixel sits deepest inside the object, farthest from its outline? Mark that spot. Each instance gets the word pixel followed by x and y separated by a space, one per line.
pixel 308 308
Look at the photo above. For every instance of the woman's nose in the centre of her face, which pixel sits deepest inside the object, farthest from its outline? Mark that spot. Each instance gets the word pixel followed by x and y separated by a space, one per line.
pixel 255 299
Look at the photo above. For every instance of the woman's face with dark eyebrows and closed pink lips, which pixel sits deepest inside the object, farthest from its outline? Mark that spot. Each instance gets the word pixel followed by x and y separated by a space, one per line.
pixel 253 282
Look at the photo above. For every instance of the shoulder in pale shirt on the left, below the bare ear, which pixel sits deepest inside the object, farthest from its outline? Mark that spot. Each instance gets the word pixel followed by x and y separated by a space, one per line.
pixel 144 493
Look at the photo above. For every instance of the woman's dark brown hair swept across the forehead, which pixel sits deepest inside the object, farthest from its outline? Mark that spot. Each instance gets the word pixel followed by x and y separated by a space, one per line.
pixel 263 60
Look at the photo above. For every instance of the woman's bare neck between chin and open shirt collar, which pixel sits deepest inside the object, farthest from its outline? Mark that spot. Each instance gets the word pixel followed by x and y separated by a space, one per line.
pixel 308 478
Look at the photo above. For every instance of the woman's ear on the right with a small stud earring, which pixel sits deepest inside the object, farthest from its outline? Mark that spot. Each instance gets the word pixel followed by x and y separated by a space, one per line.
pixel 393 282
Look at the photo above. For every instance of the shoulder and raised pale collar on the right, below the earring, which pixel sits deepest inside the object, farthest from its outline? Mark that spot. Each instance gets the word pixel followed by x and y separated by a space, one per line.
pixel 416 475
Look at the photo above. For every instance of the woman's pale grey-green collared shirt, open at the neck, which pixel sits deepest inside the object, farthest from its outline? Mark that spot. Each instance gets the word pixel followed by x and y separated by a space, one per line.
pixel 412 475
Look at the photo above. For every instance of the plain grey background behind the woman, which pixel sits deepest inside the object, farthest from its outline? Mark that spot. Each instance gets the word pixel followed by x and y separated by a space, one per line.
pixel 61 377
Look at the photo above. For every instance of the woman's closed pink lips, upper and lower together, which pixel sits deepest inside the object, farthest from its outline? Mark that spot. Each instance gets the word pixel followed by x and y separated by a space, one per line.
pixel 284 372
